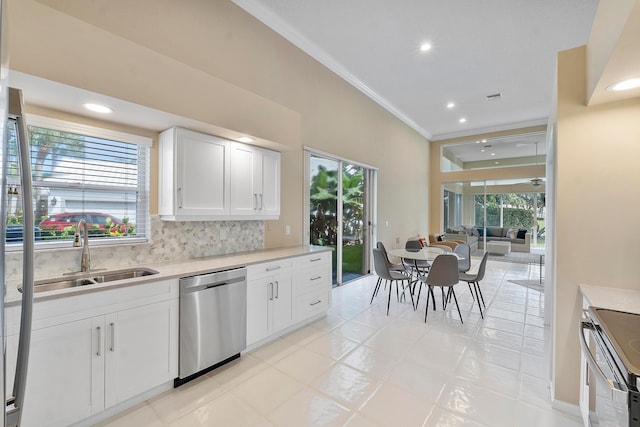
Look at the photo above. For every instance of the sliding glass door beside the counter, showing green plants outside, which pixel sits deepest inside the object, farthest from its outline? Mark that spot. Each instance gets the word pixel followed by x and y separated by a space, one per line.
pixel 339 213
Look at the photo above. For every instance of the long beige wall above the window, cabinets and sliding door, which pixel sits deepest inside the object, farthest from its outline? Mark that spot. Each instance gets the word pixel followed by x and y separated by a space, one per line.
pixel 212 62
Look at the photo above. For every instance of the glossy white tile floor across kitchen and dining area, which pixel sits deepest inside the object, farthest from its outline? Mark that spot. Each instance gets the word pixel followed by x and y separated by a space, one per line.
pixel 360 367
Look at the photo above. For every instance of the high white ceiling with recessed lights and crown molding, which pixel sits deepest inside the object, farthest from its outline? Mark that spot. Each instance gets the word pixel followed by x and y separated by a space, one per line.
pixel 480 47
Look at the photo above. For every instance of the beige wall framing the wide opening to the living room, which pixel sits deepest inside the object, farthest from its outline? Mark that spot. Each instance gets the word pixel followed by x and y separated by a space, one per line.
pixel 438 178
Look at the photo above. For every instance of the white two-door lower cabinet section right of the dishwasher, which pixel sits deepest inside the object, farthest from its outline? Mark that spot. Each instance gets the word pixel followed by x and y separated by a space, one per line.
pixel 269 299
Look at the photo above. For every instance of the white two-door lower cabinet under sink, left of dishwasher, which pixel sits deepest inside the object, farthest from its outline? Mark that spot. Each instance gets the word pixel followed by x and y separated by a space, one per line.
pixel 78 368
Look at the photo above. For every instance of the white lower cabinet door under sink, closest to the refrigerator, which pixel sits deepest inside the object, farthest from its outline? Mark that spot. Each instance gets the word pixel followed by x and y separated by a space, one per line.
pixel 65 380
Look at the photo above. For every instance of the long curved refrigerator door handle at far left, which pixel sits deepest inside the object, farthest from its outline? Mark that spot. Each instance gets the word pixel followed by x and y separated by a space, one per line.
pixel 14 413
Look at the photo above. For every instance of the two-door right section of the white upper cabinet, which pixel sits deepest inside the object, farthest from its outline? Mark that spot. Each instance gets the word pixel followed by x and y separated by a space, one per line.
pixel 255 182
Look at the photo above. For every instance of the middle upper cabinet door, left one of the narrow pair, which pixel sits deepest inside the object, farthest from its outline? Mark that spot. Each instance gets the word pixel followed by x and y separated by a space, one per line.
pixel 246 179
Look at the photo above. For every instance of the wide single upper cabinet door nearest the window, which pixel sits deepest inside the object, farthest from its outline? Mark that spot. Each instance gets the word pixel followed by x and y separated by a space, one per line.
pixel 202 175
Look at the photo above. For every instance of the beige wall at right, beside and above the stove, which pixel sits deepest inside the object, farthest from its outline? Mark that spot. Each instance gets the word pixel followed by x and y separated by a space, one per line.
pixel 597 207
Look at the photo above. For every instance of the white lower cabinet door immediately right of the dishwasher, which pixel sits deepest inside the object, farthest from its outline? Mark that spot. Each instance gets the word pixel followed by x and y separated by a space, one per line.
pixel 259 298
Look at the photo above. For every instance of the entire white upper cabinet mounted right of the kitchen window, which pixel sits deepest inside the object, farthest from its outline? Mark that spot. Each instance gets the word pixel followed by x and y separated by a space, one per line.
pixel 203 177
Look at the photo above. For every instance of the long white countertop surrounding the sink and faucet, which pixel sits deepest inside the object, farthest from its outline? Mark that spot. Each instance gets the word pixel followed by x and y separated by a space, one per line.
pixel 176 269
